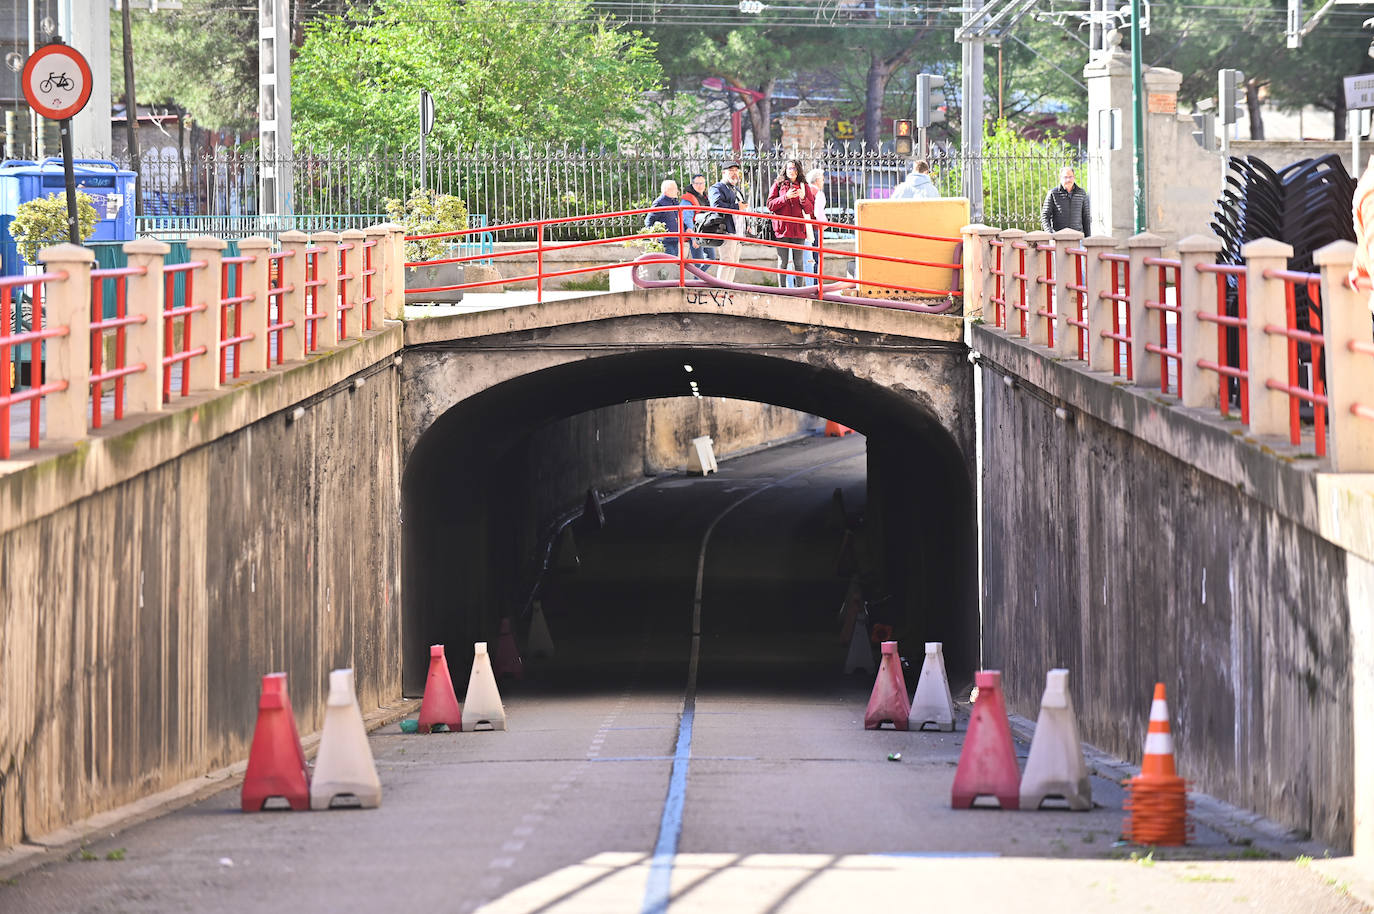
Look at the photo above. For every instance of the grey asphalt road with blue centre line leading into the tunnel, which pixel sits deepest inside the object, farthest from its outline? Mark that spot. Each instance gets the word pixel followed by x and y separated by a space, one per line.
pixel 678 757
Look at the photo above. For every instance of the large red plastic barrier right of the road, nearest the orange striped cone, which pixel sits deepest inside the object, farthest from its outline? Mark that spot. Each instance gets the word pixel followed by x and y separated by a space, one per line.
pixel 989 761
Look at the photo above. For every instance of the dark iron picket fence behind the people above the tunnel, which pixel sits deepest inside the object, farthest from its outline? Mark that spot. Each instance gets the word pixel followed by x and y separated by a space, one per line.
pixel 527 183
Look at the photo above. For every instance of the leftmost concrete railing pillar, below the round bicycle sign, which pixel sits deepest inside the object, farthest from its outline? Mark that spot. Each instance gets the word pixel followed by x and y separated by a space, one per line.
pixel 67 303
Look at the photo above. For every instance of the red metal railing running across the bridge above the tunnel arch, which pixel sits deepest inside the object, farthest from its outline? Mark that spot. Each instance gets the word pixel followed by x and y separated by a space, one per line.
pixel 821 280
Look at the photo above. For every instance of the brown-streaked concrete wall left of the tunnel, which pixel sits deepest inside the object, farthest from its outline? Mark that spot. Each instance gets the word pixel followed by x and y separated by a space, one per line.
pixel 153 574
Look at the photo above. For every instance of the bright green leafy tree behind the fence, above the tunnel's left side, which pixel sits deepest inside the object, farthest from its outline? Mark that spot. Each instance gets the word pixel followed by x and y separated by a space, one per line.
pixel 548 71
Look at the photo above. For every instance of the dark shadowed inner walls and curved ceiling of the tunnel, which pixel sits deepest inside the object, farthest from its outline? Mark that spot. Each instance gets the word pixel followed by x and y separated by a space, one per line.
pixel 458 479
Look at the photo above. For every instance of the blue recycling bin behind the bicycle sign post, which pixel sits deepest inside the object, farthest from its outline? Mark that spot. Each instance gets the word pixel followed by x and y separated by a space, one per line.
pixel 108 186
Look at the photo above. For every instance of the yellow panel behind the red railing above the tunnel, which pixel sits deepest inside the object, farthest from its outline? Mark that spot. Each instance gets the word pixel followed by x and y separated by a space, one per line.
pixel 942 216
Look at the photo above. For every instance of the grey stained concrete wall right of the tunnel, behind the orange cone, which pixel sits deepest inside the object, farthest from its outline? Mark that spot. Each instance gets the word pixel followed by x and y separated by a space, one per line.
pixel 1138 542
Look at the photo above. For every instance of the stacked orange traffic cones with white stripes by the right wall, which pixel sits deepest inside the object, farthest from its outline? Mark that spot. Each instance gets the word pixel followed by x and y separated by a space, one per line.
pixel 1159 798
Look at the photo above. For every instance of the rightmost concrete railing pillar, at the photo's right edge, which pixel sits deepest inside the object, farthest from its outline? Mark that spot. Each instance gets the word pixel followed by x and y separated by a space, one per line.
pixel 1350 375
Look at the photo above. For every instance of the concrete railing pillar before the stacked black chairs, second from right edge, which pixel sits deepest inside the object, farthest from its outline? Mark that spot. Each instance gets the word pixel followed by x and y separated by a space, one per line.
pixel 1268 354
